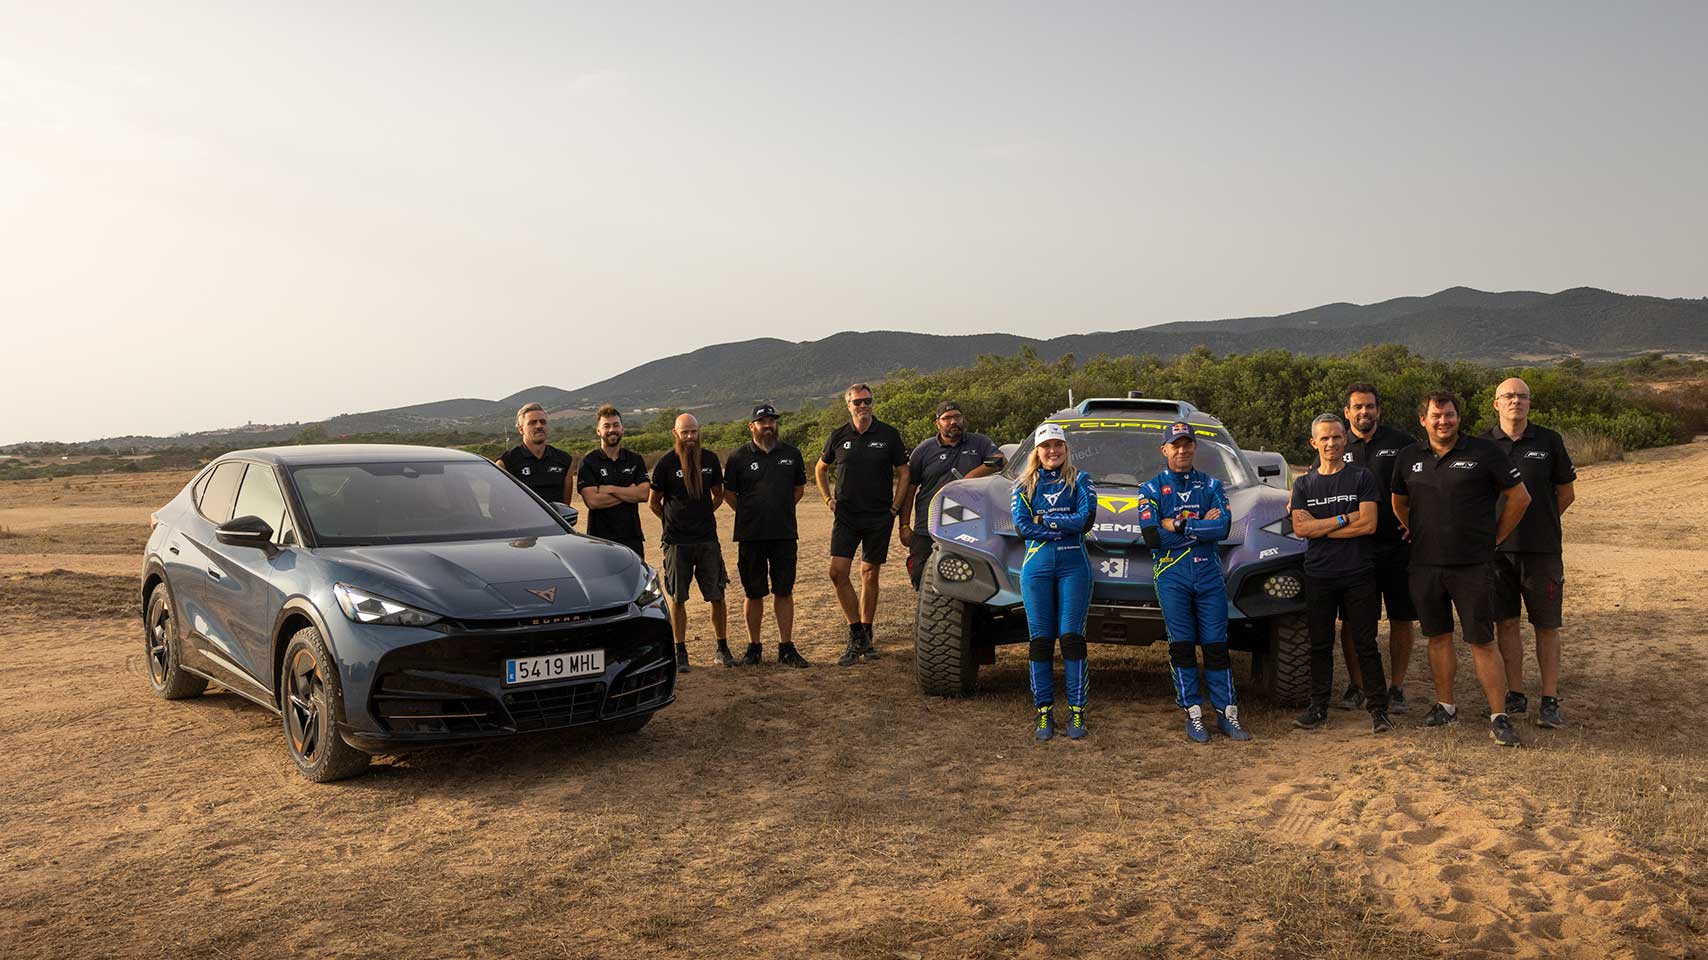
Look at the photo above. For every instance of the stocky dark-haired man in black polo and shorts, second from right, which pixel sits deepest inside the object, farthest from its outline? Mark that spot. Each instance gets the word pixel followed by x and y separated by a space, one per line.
pixel 1446 493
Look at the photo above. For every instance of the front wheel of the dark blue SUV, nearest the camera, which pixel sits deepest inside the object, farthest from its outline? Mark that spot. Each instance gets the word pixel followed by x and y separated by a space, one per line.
pixel 308 703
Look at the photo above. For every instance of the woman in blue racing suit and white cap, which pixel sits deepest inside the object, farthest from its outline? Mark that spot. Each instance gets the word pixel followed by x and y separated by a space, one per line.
pixel 1053 508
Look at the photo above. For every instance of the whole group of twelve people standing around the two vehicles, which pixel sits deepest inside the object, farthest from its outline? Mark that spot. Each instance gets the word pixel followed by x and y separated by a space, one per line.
pixel 1417 529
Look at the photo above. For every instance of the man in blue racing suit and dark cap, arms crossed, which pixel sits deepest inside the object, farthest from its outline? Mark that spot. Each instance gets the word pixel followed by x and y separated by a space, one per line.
pixel 1184 517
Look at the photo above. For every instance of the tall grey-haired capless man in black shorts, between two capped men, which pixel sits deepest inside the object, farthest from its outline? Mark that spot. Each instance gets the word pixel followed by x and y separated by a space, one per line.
pixel 872 474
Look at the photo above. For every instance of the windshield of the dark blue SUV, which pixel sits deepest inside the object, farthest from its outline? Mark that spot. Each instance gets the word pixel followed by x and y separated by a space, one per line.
pixel 353 505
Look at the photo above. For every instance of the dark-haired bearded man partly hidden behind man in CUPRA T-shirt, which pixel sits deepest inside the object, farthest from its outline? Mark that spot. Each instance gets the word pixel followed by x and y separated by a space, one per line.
pixel 1374 448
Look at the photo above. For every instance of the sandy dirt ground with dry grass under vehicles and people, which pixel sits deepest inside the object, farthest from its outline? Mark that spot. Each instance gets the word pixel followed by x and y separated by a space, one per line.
pixel 836 812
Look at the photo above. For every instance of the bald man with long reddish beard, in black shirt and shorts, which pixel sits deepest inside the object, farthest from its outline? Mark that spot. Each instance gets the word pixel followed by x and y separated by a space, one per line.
pixel 687 488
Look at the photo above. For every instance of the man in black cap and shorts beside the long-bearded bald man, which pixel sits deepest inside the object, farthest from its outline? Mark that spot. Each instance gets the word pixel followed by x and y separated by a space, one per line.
pixel 763 483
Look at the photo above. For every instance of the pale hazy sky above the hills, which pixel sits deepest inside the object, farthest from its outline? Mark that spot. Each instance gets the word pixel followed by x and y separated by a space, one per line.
pixel 214 214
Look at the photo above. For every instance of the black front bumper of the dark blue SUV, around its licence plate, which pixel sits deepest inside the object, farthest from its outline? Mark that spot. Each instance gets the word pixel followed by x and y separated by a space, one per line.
pixel 407 688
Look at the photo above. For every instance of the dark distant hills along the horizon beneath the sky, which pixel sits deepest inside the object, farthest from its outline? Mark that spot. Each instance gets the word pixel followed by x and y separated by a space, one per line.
pixel 723 380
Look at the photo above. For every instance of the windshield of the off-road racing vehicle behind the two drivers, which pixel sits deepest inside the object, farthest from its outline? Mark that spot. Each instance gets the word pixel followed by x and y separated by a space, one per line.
pixel 1120 454
